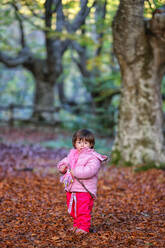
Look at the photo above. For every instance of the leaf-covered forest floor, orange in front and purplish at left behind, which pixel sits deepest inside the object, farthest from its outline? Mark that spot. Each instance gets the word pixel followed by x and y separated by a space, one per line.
pixel 129 210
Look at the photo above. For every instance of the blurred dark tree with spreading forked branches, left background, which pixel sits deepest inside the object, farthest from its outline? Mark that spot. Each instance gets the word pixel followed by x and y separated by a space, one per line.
pixel 46 71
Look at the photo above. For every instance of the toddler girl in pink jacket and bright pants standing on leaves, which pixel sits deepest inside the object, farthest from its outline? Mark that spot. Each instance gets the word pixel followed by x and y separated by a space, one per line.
pixel 80 172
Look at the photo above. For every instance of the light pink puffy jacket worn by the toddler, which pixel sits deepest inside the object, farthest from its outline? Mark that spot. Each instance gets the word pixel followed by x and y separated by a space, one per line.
pixel 85 166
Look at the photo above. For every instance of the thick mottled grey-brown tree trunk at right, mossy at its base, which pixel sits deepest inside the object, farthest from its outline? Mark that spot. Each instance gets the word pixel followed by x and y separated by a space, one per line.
pixel 141 56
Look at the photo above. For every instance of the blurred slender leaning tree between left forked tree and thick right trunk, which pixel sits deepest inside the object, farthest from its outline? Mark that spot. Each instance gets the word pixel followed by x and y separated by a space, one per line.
pixel 93 75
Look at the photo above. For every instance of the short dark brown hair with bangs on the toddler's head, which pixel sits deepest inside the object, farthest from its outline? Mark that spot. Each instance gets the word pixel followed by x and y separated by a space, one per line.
pixel 84 134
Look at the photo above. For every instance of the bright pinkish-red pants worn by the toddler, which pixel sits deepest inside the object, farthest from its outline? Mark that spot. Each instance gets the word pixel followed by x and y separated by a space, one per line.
pixel 80 205
